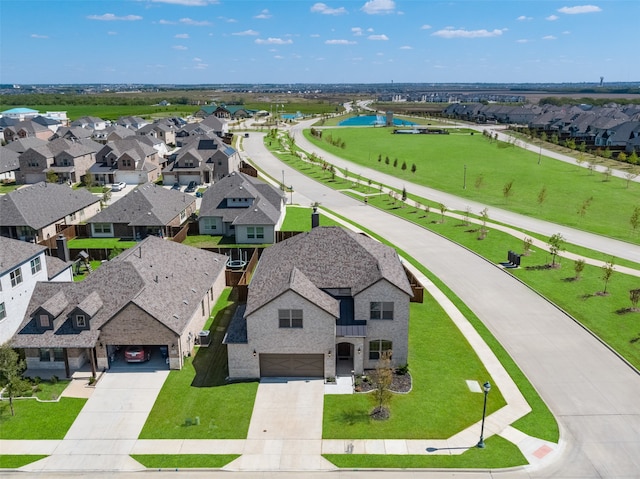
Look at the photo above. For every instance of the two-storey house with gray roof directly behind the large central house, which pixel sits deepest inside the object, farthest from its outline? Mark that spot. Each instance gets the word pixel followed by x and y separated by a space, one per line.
pixel 243 207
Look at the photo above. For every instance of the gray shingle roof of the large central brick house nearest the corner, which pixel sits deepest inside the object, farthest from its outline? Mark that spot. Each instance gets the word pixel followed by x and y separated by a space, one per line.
pixel 329 257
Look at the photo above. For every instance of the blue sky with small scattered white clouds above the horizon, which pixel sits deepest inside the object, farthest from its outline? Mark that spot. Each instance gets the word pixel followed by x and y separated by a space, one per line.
pixel 336 41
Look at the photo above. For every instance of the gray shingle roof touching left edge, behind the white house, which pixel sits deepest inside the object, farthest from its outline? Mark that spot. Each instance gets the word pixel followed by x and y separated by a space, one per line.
pixel 42 204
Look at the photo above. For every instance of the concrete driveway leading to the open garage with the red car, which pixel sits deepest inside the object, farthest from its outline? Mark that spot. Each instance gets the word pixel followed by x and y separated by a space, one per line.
pixel 105 431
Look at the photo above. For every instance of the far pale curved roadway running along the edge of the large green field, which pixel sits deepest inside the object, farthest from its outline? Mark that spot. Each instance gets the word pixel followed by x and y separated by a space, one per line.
pixel 610 246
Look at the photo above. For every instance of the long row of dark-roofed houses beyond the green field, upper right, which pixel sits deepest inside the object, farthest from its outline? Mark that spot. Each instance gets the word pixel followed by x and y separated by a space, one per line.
pixel 613 126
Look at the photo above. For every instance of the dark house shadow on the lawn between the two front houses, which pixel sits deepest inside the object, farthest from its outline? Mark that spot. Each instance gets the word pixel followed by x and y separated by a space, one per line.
pixel 210 363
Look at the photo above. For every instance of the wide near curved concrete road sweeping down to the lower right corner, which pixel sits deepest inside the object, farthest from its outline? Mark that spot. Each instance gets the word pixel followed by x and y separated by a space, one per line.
pixel 594 395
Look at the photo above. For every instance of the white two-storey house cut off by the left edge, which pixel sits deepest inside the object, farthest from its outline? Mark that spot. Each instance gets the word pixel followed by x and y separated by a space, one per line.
pixel 22 265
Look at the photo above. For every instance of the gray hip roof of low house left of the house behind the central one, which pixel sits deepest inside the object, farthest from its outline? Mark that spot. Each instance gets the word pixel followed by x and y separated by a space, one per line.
pixel 147 205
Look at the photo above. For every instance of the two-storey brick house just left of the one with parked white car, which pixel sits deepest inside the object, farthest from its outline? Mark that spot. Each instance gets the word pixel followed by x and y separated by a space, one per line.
pixel 69 160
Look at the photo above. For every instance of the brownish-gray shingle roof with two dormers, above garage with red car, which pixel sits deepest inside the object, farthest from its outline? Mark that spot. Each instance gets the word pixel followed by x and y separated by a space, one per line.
pixel 166 279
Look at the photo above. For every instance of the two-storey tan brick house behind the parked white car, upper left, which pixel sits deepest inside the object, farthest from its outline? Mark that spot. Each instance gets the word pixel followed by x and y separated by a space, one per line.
pixel 130 160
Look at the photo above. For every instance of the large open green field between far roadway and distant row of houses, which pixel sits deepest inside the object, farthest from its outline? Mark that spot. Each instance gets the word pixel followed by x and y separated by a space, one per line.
pixel 441 161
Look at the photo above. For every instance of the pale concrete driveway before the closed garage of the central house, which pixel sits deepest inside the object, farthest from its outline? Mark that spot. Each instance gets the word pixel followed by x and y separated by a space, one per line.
pixel 285 432
